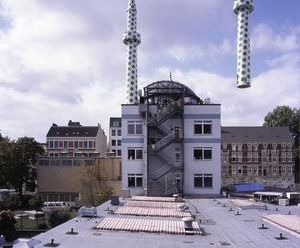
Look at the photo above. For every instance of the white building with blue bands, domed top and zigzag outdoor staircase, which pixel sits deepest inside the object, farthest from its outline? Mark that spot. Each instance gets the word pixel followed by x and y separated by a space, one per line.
pixel 171 143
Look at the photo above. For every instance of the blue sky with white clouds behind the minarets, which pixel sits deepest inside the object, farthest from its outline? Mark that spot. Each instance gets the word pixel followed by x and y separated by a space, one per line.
pixel 64 60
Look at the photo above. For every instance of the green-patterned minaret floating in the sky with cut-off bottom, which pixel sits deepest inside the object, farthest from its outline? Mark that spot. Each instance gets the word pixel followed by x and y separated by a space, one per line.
pixel 243 8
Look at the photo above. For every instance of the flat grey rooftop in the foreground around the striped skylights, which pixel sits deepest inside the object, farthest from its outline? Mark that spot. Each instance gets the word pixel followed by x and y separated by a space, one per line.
pixel 222 225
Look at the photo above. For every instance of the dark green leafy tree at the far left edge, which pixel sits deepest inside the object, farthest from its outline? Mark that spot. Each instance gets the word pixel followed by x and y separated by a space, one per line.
pixel 18 162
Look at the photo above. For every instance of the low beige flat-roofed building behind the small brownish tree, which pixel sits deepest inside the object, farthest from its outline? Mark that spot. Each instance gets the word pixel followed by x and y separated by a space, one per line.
pixel 61 180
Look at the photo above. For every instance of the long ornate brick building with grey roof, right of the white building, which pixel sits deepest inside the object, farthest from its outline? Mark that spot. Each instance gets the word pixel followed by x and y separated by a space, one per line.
pixel 257 154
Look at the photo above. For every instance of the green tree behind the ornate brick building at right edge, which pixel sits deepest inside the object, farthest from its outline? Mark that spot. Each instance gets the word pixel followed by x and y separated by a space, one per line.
pixel 284 116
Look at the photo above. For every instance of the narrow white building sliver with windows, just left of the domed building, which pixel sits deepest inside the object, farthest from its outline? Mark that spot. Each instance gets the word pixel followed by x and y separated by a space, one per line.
pixel 115 136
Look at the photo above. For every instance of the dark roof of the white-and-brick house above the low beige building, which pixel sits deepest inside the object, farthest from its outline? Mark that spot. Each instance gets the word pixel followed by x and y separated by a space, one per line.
pixel 73 131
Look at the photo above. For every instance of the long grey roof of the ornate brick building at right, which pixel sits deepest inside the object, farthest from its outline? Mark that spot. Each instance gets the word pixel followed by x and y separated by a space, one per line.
pixel 255 133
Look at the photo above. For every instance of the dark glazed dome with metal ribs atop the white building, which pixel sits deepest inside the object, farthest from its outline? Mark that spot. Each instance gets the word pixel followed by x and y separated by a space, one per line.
pixel 170 89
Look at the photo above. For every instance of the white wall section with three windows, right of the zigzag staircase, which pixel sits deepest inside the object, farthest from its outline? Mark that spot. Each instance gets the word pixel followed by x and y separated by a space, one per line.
pixel 197 113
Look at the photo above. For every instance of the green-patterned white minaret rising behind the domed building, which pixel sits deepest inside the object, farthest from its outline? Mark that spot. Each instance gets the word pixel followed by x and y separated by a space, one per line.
pixel 131 39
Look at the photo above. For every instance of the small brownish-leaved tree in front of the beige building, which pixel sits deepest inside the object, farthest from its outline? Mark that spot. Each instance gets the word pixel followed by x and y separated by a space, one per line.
pixel 95 188
